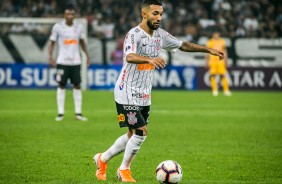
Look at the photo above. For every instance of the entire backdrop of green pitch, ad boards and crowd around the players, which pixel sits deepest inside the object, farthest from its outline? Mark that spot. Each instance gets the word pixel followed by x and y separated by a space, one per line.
pixel 215 139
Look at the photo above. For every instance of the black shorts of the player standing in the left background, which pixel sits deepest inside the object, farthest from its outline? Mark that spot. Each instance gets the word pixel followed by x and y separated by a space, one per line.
pixel 65 72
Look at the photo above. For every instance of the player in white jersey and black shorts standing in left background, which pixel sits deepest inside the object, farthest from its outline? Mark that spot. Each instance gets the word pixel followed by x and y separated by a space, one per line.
pixel 70 35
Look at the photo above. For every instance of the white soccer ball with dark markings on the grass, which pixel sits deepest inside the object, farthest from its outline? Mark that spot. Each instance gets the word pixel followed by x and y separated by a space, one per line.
pixel 169 171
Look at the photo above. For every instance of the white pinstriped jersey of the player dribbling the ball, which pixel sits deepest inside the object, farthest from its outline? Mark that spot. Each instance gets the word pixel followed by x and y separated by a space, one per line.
pixel 134 84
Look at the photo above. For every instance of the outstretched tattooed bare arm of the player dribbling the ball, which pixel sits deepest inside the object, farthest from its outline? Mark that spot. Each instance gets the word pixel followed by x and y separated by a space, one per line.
pixel 191 47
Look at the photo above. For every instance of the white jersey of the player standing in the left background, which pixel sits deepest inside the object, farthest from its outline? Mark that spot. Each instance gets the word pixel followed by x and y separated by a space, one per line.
pixel 68 42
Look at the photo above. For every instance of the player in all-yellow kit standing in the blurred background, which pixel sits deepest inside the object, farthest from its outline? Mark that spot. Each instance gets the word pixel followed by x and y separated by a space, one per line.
pixel 216 66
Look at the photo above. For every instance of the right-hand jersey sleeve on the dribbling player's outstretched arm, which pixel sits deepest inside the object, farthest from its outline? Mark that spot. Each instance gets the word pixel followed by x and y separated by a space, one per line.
pixel 170 42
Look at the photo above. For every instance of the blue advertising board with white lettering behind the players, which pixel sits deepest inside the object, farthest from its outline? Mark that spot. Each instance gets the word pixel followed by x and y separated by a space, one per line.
pixel 38 76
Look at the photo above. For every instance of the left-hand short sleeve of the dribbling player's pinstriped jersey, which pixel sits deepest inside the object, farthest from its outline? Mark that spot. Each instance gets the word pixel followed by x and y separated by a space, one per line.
pixel 130 44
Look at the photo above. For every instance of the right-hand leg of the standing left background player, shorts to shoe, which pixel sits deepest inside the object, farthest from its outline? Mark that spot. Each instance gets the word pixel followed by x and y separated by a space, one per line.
pixel 77 94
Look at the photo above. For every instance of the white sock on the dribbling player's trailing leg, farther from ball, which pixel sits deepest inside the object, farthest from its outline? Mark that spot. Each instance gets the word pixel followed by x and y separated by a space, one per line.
pixel 116 148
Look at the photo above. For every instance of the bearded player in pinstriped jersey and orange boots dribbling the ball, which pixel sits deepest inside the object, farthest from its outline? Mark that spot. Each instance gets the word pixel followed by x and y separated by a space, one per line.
pixel 142 46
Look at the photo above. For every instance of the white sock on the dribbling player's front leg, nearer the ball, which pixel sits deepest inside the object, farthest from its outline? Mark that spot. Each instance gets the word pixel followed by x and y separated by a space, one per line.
pixel 132 148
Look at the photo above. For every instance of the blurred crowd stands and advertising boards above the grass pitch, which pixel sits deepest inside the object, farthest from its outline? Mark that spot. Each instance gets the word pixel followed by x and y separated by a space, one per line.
pixel 252 30
